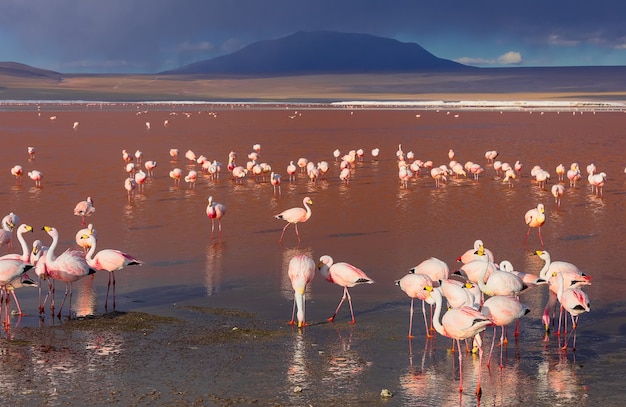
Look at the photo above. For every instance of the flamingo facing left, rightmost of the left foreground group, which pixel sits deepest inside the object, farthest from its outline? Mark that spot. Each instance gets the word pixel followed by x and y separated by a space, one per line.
pixel 110 260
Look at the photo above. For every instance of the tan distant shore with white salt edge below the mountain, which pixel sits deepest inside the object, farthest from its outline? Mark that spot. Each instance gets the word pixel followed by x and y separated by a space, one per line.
pixel 583 84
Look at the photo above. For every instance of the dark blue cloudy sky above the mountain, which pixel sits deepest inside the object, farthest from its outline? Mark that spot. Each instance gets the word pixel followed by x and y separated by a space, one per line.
pixel 145 36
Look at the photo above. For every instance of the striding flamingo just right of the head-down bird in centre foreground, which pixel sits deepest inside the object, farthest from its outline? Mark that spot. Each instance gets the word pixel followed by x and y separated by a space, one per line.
pixel 345 275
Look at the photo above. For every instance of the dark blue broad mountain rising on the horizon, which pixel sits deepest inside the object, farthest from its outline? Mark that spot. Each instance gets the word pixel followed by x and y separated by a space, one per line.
pixel 323 52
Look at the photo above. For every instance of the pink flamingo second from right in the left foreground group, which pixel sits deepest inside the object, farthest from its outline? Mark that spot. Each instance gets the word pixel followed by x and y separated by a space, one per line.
pixel 68 267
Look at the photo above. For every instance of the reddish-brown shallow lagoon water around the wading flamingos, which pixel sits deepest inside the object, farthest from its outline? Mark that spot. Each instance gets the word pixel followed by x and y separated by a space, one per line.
pixel 372 222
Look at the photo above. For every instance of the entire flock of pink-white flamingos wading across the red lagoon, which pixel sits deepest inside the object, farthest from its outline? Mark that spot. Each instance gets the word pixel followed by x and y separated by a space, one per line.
pixel 481 294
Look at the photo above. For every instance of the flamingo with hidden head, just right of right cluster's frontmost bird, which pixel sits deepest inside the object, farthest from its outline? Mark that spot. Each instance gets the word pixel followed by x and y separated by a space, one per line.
pixel 502 310
